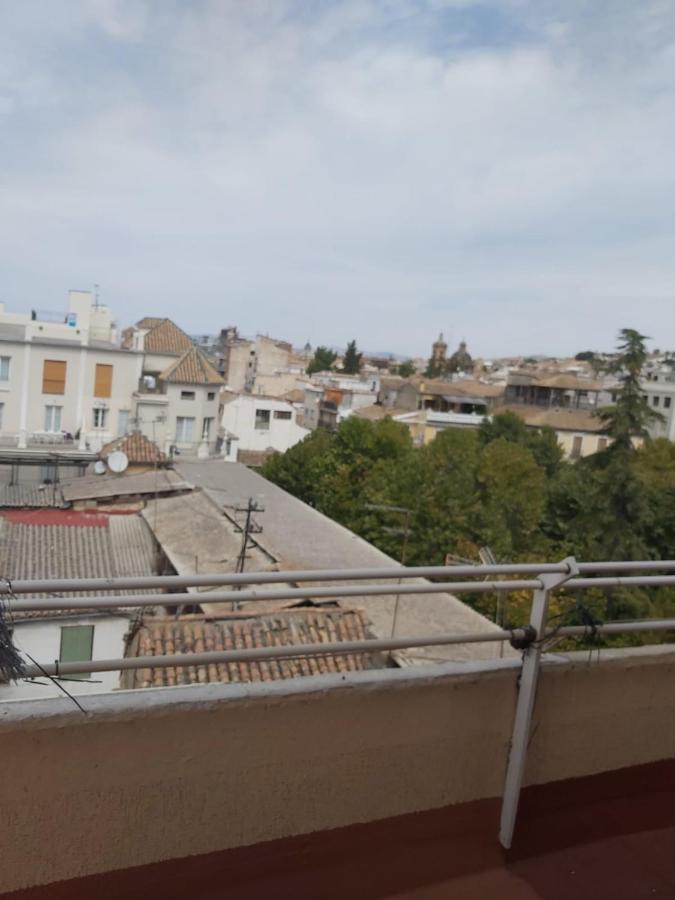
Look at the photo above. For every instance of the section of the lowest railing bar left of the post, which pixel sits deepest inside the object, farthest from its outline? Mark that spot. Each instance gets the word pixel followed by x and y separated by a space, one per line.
pixel 212 657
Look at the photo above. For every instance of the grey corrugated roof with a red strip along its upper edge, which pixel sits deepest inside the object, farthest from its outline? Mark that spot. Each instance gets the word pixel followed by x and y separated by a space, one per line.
pixel 110 546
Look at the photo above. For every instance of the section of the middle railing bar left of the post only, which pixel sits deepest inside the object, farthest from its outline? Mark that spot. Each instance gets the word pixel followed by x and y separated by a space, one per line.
pixel 318 593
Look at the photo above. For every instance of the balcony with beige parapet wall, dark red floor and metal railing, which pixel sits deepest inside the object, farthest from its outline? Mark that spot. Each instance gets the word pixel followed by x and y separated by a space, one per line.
pixel 391 783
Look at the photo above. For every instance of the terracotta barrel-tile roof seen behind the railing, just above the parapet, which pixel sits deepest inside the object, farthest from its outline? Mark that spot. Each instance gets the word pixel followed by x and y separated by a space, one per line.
pixel 196 634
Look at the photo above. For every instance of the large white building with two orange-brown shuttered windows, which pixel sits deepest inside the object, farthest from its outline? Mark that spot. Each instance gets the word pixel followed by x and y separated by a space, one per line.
pixel 64 374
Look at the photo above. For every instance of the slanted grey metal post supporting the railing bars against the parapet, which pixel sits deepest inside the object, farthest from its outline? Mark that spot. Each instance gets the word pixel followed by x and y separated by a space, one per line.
pixel 525 705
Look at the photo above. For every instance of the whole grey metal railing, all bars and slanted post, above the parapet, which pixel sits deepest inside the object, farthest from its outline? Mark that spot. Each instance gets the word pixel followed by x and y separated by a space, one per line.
pixel 542 579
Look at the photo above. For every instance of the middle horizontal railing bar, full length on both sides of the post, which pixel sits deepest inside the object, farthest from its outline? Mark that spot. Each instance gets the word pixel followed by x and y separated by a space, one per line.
pixel 320 593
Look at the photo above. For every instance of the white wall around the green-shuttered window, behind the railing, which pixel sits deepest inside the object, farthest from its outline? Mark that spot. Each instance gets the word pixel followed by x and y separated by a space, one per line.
pixel 41 638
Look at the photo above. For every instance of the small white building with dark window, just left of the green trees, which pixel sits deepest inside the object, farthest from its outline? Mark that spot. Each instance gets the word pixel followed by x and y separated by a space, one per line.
pixel 260 424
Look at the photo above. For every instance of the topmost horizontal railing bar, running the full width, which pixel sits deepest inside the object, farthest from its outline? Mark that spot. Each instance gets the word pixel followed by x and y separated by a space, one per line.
pixel 168 582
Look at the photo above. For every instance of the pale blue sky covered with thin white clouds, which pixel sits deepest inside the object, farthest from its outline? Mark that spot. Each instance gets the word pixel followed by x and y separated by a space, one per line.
pixel 383 170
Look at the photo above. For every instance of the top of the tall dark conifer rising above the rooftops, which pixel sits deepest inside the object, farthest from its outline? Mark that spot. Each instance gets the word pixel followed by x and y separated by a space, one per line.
pixel 631 414
